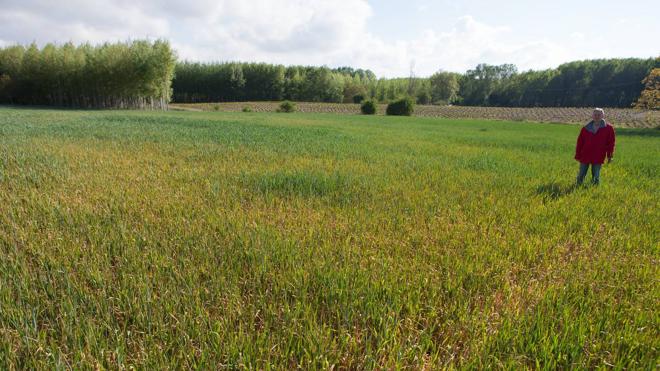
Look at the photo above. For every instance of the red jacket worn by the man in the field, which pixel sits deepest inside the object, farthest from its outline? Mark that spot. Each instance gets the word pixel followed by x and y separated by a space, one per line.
pixel 592 147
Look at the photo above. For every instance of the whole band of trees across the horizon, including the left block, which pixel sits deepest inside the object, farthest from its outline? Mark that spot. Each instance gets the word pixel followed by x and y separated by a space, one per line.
pixel 144 74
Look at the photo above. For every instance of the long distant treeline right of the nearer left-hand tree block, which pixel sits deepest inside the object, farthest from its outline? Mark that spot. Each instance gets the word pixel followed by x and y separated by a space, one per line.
pixel 603 82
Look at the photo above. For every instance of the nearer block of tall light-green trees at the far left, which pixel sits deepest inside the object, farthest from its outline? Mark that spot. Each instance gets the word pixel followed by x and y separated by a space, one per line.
pixel 135 74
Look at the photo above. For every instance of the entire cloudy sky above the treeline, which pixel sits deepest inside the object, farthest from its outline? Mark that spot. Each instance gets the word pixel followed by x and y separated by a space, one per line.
pixel 388 37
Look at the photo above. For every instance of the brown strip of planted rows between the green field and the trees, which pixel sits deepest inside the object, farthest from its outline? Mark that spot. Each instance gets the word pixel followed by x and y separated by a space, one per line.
pixel 620 117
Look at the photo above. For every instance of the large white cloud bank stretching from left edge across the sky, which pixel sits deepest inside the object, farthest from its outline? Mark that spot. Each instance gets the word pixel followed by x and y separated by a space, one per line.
pixel 331 32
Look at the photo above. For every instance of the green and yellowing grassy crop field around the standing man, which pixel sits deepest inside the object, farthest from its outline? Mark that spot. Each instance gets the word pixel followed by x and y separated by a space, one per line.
pixel 211 239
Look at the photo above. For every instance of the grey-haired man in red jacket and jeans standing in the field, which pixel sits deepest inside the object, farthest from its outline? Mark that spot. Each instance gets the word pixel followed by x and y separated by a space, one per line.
pixel 595 142
